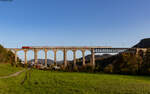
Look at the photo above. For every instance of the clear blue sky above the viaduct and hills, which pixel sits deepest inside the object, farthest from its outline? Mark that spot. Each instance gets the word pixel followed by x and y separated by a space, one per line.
pixel 116 23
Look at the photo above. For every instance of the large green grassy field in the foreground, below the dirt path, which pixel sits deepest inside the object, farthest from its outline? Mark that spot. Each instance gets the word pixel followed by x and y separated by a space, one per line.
pixel 46 82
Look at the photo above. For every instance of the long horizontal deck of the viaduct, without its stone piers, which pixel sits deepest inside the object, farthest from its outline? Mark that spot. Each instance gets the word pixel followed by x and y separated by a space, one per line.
pixel 96 49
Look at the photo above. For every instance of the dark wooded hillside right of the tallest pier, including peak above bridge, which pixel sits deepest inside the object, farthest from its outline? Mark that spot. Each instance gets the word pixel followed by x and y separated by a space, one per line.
pixel 127 63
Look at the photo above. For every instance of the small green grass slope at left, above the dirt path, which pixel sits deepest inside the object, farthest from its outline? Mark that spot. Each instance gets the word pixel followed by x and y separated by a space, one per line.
pixel 6 69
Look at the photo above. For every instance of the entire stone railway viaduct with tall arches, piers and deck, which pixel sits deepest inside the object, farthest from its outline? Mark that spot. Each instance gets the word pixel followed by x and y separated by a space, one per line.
pixel 94 49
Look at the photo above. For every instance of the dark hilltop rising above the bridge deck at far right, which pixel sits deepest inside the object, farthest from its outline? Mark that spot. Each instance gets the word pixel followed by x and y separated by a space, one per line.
pixel 144 43
